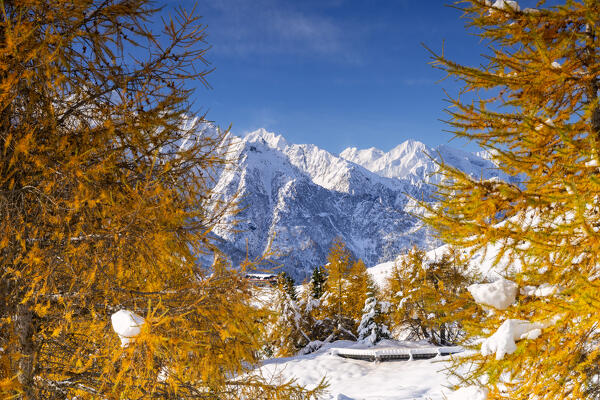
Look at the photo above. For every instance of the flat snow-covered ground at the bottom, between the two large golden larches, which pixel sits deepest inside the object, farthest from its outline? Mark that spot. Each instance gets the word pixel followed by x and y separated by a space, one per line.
pixel 351 379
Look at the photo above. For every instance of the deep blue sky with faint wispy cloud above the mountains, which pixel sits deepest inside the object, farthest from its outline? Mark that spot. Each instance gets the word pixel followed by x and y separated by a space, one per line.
pixel 336 73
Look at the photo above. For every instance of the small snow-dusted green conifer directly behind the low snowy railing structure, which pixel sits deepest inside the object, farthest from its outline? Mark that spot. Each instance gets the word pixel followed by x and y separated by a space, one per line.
pixel 372 326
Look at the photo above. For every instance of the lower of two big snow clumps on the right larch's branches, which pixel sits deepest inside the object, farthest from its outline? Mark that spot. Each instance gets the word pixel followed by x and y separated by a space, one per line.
pixel 502 342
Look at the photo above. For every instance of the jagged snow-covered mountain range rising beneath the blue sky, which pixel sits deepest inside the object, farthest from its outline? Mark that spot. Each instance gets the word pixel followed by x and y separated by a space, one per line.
pixel 302 197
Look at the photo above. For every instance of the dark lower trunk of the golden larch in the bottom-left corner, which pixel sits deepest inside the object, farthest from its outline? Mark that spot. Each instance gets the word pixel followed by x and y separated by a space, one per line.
pixel 25 365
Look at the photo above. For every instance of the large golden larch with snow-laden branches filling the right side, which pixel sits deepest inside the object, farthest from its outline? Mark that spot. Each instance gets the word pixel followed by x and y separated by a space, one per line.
pixel 534 106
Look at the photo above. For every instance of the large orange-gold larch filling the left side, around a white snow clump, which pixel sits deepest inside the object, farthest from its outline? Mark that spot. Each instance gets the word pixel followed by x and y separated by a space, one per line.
pixel 106 202
